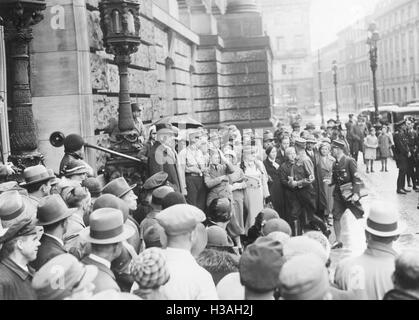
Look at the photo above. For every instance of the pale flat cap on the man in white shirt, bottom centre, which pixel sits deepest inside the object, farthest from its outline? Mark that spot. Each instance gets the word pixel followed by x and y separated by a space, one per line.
pixel 180 219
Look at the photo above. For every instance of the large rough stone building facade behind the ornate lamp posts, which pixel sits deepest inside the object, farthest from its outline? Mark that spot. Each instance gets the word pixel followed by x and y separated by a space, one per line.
pixel 208 59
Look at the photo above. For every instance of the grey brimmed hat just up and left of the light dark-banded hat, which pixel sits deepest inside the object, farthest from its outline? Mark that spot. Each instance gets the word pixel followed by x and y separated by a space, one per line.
pixel 52 209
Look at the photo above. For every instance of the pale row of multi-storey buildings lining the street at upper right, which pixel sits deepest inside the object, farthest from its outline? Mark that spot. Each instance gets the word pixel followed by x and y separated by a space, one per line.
pixel 398 59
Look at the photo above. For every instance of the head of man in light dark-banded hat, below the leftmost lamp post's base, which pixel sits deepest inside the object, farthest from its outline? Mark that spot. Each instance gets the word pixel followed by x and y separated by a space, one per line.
pixel 37 182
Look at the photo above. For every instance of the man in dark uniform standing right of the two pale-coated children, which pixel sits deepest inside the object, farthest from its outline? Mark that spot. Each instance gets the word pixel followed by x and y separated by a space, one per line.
pixel 402 155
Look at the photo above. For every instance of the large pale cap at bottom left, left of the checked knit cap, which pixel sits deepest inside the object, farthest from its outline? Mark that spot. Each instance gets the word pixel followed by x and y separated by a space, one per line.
pixel 65 270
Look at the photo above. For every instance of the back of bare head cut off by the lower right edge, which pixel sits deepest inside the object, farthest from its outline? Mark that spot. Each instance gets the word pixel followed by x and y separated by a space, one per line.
pixel 406 273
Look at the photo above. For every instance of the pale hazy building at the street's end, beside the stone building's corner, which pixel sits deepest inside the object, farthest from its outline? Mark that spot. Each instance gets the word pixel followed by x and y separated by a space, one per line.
pixel 287 22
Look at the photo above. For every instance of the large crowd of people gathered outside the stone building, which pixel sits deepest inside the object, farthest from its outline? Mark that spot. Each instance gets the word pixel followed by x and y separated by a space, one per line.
pixel 222 215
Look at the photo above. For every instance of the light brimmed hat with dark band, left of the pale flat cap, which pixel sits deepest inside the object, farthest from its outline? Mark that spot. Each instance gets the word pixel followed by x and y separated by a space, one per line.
pixel 106 226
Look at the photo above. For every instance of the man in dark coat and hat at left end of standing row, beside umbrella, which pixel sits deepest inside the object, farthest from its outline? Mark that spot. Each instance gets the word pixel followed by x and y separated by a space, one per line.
pixel 163 156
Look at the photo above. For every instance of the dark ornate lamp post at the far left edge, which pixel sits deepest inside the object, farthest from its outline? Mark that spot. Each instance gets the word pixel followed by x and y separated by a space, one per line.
pixel 19 16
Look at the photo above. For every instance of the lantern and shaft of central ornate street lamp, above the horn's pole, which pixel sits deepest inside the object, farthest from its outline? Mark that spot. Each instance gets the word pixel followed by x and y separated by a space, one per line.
pixel 120 24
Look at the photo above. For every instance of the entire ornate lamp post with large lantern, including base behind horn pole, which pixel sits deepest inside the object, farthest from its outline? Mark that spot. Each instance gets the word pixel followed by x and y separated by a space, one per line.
pixel 120 23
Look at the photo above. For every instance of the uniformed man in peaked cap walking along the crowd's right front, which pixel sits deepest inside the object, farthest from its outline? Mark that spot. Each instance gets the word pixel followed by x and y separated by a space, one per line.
pixel 344 171
